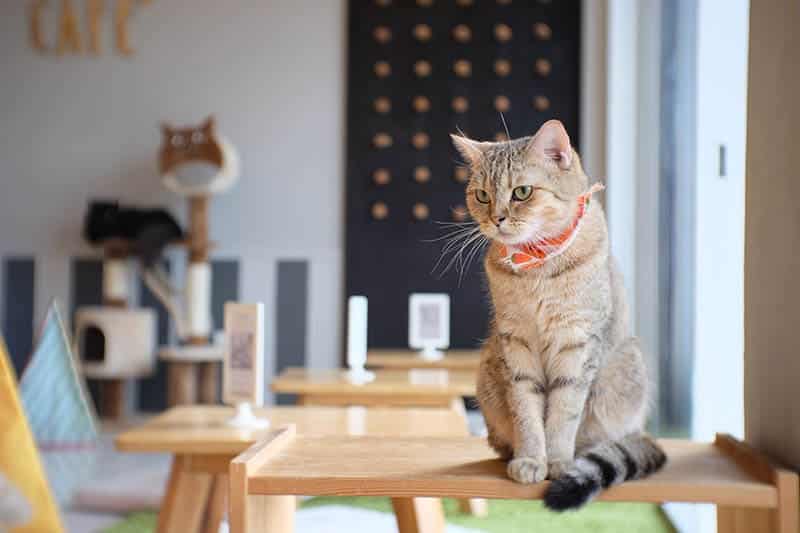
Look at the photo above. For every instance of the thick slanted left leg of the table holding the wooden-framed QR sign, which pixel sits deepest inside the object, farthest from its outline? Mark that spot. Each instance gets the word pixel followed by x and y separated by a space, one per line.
pixel 186 500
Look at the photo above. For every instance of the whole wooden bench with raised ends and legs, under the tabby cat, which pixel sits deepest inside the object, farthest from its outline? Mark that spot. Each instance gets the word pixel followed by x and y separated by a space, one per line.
pixel 751 494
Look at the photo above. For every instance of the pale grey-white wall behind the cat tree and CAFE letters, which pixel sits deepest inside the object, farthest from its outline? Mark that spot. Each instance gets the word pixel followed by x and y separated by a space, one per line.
pixel 80 127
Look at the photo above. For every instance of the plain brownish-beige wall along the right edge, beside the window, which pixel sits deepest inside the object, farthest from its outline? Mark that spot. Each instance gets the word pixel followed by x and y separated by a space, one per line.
pixel 772 232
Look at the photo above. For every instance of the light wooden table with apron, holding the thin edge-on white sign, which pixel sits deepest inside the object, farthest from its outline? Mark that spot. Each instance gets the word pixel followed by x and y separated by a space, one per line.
pixel 409 388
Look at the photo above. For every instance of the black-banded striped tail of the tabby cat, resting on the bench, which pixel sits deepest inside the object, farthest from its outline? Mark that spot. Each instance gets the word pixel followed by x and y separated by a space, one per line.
pixel 603 465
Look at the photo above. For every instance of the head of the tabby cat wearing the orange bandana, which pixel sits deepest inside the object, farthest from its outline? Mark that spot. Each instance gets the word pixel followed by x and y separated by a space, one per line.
pixel 525 189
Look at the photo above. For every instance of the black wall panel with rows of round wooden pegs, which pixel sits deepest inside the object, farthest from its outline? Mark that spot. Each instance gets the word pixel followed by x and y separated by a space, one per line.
pixel 413 66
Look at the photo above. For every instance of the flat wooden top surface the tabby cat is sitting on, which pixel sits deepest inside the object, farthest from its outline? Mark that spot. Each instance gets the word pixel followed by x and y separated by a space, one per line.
pixel 465 467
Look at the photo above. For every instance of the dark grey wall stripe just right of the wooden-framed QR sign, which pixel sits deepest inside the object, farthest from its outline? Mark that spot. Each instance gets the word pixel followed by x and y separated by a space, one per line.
pixel 291 312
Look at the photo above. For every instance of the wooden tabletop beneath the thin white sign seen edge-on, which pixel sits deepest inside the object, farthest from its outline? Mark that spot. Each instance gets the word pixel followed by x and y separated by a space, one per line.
pixel 430 382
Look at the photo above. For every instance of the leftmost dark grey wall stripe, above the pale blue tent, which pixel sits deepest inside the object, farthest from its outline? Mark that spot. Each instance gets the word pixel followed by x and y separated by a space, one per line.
pixel 18 296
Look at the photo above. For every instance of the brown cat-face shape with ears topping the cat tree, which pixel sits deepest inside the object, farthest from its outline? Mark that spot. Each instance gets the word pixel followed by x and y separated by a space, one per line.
pixel 189 145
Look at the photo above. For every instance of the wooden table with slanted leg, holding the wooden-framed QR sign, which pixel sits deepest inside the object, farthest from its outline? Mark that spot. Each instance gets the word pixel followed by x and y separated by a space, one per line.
pixel 203 446
